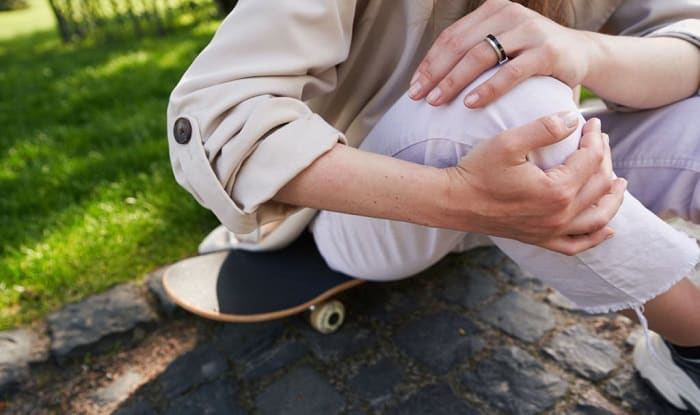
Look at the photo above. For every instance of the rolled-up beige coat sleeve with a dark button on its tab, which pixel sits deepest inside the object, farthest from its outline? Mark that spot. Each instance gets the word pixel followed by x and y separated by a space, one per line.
pixel 238 128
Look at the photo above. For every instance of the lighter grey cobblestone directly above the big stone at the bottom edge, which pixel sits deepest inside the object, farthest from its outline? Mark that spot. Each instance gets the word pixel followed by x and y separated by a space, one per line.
pixel 519 316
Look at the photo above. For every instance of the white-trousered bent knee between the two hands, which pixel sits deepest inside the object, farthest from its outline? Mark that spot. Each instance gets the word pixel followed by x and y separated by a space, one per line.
pixel 419 132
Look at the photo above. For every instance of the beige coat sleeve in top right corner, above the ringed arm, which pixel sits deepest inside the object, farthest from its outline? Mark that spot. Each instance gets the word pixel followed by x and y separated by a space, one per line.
pixel 657 18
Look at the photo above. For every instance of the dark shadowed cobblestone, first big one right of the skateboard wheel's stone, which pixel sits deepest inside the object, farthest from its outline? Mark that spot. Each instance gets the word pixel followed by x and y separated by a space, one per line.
pixel 440 341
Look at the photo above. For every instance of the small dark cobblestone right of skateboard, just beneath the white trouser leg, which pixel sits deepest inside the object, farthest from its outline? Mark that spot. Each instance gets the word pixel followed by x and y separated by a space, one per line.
pixel 467 287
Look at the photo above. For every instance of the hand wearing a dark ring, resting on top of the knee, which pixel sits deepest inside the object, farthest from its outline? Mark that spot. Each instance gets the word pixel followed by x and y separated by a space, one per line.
pixel 534 44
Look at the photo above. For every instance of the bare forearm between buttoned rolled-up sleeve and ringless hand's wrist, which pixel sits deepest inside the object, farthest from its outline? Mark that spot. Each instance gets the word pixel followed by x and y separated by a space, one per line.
pixel 352 181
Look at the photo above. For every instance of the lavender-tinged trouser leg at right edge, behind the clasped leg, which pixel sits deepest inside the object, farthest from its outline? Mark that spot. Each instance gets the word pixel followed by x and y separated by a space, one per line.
pixel 658 152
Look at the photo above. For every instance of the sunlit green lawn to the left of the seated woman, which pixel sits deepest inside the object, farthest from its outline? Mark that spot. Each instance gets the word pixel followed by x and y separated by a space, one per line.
pixel 87 197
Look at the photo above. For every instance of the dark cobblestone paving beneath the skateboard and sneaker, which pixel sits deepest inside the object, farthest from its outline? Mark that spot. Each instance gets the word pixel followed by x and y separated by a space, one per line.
pixel 471 335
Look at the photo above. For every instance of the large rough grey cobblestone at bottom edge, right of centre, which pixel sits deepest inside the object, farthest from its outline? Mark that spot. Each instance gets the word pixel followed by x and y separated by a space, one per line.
pixel 515 382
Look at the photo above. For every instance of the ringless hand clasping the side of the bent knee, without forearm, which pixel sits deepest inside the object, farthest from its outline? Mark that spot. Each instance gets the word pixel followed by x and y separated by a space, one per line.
pixel 565 209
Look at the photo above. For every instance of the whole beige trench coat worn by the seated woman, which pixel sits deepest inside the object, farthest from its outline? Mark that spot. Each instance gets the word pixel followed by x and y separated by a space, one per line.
pixel 282 81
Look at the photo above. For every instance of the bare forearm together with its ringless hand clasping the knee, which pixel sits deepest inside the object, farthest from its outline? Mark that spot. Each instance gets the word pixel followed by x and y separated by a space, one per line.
pixel 493 190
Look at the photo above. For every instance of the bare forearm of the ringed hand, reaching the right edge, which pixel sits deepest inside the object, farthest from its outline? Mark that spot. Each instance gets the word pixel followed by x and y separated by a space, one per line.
pixel 642 72
